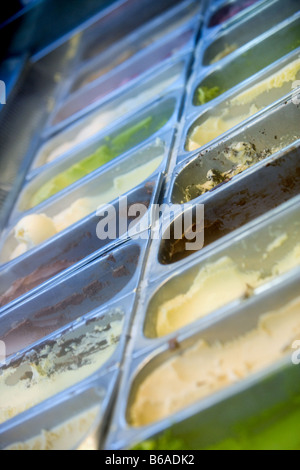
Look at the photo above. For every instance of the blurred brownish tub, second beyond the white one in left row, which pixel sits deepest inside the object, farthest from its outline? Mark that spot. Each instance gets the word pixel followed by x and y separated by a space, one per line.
pixel 155 32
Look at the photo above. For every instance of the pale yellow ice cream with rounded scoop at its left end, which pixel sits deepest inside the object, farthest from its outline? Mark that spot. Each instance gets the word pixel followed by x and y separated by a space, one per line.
pixel 37 228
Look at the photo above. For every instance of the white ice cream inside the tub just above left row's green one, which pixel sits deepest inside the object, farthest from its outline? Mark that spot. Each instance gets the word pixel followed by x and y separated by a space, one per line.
pixel 104 119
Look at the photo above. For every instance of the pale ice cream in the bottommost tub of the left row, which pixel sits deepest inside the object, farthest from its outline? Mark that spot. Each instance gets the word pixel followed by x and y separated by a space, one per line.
pixel 66 436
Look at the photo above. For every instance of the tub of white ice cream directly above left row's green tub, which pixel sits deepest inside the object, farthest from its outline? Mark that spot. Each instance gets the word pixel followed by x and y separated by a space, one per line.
pixel 170 77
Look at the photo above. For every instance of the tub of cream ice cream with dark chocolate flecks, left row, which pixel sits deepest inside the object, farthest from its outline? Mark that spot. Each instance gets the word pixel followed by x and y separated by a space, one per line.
pixel 84 351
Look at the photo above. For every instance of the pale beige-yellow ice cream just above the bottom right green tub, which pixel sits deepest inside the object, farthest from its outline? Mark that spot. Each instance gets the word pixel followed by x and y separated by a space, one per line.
pixel 207 368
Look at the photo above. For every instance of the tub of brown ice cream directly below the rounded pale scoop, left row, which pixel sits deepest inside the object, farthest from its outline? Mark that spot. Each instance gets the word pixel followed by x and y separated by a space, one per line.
pixel 75 247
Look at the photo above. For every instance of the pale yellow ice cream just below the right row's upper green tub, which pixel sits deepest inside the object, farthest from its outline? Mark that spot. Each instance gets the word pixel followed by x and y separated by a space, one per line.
pixel 230 116
